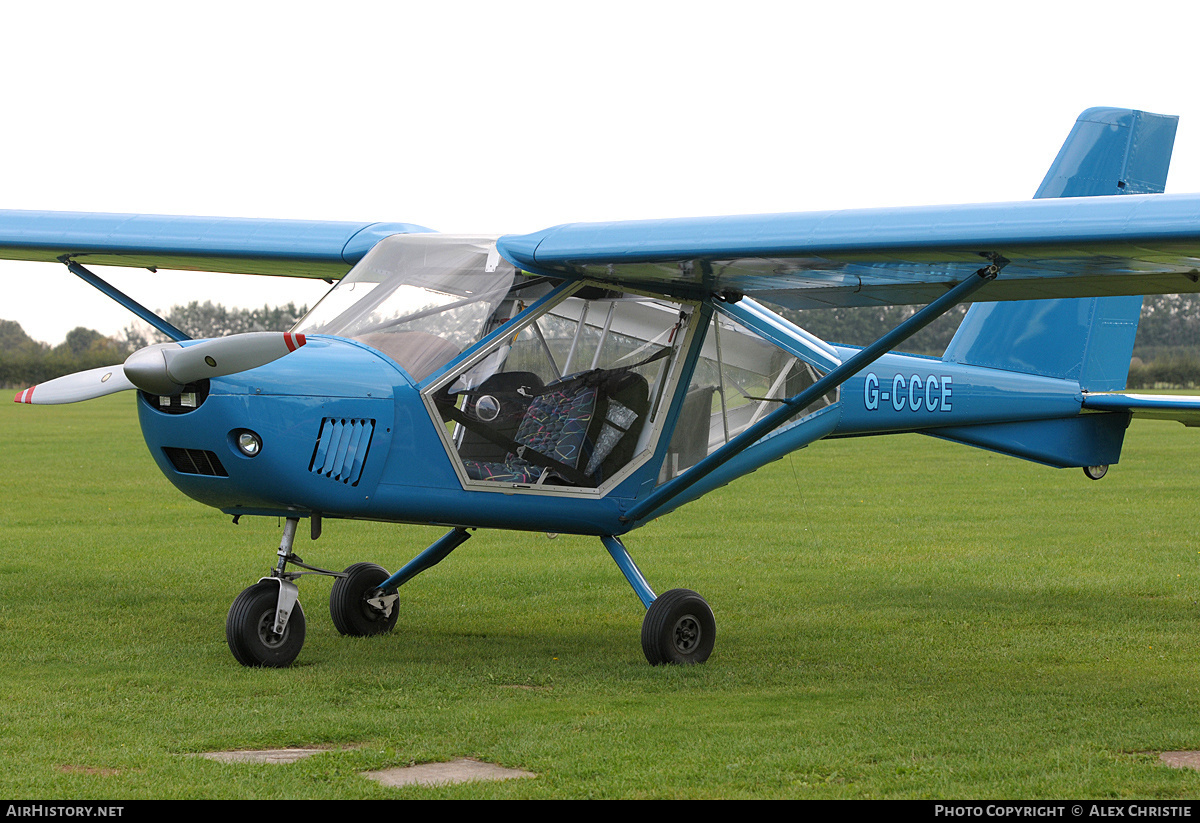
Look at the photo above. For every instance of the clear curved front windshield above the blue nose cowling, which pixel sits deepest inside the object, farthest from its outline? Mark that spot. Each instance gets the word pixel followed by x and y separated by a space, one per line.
pixel 421 299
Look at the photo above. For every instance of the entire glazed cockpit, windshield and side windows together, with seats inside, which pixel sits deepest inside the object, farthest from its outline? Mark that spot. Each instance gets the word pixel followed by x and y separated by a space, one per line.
pixel 556 388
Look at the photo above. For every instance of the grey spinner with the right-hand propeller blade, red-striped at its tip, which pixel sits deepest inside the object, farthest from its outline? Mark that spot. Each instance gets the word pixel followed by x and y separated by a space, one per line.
pixel 165 370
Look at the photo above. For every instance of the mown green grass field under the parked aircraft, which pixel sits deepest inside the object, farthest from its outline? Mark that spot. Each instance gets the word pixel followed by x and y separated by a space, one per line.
pixel 898 618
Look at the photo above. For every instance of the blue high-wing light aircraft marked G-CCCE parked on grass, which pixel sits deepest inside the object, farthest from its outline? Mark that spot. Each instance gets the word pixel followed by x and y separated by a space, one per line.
pixel 591 379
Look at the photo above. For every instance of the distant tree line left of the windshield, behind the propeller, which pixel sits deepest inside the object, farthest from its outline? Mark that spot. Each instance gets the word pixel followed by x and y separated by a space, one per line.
pixel 26 362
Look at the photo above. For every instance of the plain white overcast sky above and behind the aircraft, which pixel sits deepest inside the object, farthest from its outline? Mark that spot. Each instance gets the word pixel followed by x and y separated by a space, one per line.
pixel 514 117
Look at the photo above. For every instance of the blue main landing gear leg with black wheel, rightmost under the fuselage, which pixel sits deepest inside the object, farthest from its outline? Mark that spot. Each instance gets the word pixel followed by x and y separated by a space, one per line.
pixel 679 627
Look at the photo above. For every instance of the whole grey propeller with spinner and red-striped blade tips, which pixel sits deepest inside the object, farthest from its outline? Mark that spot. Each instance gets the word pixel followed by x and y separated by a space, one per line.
pixel 165 369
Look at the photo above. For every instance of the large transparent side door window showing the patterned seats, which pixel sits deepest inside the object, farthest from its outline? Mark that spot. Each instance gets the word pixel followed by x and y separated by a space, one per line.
pixel 572 399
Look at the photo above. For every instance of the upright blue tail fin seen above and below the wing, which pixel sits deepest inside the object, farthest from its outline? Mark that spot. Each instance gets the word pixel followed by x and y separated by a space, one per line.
pixel 1109 152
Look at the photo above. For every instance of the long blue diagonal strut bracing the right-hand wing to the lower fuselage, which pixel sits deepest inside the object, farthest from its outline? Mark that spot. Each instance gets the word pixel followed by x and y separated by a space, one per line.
pixel 665 494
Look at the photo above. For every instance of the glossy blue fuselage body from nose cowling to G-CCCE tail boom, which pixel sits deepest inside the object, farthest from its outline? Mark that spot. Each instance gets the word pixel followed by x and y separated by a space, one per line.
pixel 345 434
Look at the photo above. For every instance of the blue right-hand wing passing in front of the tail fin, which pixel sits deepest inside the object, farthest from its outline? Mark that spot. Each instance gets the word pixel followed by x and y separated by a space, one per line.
pixel 1085 247
